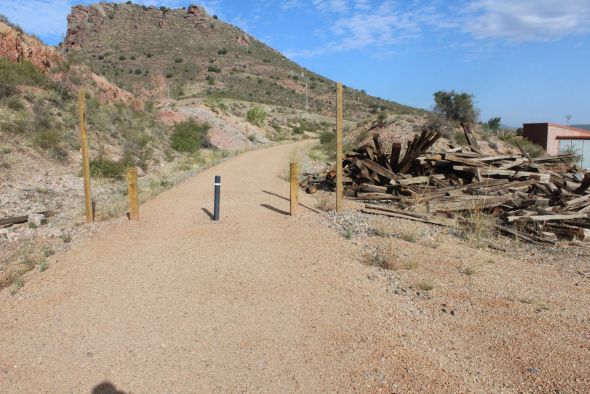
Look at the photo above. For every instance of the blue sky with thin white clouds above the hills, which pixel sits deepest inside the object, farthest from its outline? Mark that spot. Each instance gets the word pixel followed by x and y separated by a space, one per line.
pixel 524 60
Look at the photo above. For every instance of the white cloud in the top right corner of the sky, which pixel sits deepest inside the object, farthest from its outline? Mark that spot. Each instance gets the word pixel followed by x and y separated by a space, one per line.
pixel 528 20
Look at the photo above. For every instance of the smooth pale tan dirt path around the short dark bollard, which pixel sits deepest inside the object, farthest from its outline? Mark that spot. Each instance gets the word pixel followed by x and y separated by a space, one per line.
pixel 174 303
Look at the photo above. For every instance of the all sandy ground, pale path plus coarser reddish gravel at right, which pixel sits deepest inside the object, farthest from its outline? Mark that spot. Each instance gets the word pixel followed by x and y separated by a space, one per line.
pixel 262 302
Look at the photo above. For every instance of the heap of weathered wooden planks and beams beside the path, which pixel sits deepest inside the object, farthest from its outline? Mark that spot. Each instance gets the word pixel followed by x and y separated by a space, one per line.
pixel 537 200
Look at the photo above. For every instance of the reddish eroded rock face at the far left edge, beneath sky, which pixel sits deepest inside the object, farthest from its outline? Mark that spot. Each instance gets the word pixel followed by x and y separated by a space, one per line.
pixel 18 47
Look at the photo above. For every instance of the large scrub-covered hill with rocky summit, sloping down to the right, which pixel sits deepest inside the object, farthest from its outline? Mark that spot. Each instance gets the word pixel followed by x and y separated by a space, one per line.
pixel 188 53
